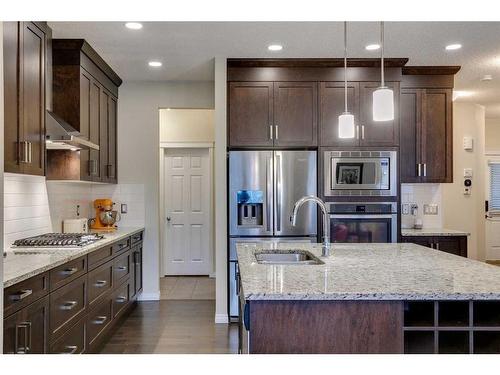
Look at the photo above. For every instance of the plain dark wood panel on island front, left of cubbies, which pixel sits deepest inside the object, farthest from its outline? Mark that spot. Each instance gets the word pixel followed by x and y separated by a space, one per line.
pixel 340 327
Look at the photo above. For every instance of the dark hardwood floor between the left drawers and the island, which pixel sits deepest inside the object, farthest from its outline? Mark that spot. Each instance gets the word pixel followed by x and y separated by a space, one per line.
pixel 173 327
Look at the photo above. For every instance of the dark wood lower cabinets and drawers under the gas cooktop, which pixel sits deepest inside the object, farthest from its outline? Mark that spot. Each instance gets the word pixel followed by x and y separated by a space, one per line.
pixel 81 307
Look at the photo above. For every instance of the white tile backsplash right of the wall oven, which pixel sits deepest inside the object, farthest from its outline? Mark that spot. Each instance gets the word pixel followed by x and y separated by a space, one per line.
pixel 422 194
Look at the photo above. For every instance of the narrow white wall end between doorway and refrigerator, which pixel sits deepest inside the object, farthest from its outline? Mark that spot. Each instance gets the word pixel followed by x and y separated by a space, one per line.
pixel 220 192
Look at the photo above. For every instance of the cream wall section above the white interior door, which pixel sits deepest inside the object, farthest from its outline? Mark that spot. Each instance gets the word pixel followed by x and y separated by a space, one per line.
pixel 186 125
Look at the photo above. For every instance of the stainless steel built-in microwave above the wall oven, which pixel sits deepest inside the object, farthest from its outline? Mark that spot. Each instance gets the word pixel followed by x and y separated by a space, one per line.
pixel 360 173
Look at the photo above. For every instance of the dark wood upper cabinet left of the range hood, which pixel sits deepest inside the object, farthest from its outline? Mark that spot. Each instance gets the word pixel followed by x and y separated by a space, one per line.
pixel 26 68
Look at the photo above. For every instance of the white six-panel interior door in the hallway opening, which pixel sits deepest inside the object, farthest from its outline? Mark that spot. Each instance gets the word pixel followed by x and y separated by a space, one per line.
pixel 187 211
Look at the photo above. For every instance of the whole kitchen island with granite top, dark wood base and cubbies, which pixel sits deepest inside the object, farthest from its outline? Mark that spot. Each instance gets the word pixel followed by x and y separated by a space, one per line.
pixel 368 298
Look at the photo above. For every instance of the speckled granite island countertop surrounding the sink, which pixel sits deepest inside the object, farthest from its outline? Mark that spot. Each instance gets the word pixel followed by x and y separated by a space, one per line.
pixel 368 272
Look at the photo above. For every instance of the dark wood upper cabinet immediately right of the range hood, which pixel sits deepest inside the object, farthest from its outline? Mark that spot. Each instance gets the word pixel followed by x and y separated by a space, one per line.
pixel 85 96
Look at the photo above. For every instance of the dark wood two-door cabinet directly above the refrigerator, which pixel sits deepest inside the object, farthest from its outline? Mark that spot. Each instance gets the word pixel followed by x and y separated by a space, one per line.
pixel 266 114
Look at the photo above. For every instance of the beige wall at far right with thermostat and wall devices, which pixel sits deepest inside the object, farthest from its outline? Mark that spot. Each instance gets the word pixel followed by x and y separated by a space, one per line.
pixel 459 211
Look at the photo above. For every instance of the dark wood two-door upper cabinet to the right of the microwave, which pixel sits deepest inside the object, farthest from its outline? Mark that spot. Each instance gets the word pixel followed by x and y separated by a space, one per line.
pixel 426 135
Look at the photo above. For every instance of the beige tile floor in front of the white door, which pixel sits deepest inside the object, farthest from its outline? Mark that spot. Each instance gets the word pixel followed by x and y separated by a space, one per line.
pixel 187 288
